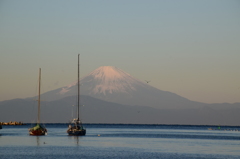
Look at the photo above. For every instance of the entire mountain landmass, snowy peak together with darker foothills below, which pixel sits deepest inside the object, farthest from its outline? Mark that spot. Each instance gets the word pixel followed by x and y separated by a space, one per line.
pixel 110 95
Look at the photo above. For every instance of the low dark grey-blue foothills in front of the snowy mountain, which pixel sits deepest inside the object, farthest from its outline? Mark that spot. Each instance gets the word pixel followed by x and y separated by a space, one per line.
pixel 98 111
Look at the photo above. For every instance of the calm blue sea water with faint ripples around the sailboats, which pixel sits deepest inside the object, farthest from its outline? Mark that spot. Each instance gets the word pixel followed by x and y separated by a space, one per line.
pixel 122 141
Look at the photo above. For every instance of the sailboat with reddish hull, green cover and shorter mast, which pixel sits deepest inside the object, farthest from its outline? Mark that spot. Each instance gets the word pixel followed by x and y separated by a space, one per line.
pixel 38 129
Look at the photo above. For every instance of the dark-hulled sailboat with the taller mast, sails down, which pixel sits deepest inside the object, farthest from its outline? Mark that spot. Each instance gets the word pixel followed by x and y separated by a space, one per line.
pixel 76 128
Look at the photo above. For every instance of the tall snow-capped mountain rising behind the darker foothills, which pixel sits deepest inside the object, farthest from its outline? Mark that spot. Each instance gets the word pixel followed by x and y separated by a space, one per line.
pixel 114 85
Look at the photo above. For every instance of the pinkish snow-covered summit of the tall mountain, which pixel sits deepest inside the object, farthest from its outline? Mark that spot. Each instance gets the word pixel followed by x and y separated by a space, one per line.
pixel 105 80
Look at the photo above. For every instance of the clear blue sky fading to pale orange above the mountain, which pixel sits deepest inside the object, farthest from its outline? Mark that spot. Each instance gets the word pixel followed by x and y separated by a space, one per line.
pixel 191 48
